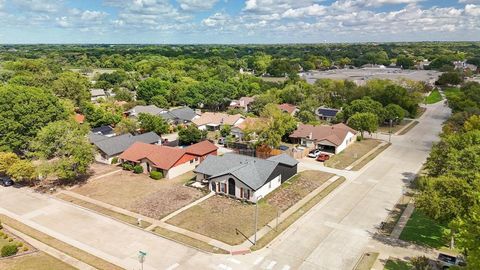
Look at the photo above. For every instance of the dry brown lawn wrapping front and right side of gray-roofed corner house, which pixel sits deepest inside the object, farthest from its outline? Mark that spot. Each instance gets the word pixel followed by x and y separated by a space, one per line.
pixel 218 217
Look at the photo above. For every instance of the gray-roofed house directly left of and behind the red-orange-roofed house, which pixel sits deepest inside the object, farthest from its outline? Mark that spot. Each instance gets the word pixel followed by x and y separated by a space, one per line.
pixel 110 147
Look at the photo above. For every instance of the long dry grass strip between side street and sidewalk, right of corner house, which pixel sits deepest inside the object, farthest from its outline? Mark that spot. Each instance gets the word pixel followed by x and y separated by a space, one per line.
pixel 267 238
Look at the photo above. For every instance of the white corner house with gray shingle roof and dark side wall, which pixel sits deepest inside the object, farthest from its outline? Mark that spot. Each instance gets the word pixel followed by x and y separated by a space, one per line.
pixel 245 177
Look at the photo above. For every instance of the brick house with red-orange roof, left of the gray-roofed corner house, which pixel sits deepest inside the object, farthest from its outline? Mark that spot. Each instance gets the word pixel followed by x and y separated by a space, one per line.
pixel 171 161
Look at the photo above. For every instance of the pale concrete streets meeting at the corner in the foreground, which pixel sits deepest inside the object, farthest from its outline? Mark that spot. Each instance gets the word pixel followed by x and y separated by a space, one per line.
pixel 332 235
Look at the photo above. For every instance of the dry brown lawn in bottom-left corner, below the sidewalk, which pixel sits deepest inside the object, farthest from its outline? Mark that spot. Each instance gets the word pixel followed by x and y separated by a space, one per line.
pixel 35 261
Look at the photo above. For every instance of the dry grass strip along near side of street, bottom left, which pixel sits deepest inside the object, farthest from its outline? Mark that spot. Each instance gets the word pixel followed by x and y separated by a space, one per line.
pixel 59 245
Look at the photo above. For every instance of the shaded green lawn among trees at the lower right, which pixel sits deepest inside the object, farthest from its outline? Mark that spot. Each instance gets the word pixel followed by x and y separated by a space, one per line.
pixel 424 231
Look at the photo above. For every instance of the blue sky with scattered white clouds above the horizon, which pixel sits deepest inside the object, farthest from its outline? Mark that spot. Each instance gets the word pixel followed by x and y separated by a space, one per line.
pixel 237 21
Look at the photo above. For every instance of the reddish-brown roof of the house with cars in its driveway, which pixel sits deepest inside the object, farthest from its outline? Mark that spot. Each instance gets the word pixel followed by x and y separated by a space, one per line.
pixel 335 134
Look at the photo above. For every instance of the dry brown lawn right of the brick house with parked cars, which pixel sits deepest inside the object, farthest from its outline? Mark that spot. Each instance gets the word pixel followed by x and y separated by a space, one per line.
pixel 354 152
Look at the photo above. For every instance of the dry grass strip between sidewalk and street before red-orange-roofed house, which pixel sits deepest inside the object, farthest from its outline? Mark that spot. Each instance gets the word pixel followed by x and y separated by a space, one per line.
pixel 102 210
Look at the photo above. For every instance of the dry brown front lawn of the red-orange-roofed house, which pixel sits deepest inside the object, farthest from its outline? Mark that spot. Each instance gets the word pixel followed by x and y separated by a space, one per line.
pixel 139 193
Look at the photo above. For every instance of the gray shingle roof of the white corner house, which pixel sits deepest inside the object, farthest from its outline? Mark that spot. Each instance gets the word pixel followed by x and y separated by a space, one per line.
pixel 253 172
